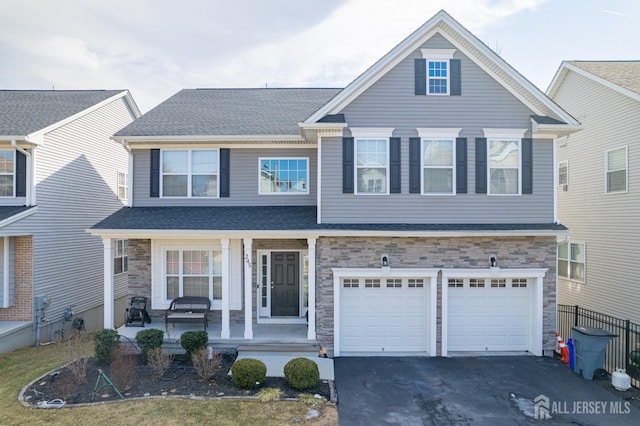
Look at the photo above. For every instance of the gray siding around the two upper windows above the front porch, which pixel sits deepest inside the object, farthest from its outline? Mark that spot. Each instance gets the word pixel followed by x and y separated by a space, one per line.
pixel 243 178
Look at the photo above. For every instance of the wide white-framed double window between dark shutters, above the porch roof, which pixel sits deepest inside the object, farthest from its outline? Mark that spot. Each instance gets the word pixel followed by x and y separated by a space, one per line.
pixel 190 173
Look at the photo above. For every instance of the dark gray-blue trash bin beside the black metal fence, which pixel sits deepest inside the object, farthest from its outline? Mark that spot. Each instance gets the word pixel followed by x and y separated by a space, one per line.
pixel 590 345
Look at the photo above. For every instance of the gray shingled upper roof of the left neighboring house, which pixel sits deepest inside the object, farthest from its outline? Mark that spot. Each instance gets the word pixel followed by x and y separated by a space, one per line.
pixel 23 112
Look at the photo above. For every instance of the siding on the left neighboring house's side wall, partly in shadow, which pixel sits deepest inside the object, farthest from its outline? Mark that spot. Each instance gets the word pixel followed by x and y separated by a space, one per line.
pixel 76 187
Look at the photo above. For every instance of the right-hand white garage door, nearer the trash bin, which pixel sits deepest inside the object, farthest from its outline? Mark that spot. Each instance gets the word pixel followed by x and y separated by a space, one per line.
pixel 489 314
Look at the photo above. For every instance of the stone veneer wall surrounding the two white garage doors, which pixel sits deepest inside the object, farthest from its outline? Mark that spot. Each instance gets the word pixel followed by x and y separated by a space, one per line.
pixel 467 252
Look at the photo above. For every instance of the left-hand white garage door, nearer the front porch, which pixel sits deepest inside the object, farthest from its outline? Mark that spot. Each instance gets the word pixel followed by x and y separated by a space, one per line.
pixel 384 315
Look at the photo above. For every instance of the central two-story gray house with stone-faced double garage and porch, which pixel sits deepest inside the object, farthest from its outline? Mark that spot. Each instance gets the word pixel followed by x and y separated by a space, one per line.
pixel 377 210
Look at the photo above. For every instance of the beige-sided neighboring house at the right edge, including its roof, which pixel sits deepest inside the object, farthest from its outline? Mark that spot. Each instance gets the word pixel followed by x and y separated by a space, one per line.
pixel 598 177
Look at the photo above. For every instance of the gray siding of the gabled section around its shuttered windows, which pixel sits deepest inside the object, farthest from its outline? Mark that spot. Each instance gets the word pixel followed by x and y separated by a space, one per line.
pixel 391 102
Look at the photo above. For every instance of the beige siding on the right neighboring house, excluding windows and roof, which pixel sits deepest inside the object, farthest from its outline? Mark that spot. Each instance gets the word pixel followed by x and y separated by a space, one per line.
pixel 608 224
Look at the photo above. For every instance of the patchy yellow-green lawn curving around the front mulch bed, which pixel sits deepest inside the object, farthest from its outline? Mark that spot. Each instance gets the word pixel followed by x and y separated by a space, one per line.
pixel 20 367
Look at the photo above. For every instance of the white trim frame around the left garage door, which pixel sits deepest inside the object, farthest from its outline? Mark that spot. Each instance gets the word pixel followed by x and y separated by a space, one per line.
pixel 431 273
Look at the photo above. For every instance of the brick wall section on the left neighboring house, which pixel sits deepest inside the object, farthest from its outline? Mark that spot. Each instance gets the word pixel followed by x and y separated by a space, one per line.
pixel 23 282
